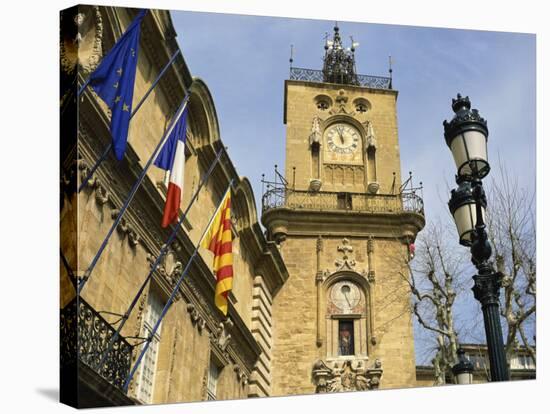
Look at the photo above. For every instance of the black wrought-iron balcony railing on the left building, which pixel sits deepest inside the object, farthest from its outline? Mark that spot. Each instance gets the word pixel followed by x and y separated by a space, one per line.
pixel 85 334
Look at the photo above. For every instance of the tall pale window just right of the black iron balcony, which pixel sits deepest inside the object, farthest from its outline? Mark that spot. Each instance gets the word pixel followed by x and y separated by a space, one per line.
pixel 147 368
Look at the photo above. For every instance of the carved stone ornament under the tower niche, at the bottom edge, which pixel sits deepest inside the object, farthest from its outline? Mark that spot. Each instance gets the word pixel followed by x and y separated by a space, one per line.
pixel 349 375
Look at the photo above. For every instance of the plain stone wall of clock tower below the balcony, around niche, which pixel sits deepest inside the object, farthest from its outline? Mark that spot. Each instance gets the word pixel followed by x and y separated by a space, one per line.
pixel 389 332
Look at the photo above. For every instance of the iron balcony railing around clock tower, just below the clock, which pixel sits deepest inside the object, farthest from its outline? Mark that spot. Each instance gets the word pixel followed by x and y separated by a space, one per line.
pixel 333 201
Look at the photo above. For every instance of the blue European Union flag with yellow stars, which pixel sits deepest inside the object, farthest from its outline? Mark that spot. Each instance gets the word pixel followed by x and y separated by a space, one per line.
pixel 113 81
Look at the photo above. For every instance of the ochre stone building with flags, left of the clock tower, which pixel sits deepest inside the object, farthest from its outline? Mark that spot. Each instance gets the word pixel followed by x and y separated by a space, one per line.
pixel 198 354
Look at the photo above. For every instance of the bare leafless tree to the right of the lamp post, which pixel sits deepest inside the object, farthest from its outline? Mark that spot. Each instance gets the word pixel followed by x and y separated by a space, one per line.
pixel 512 231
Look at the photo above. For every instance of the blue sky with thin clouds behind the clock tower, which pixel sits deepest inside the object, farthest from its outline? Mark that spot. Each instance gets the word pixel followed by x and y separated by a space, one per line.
pixel 244 61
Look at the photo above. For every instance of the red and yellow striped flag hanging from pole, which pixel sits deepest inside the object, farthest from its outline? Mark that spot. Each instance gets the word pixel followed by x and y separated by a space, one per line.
pixel 218 240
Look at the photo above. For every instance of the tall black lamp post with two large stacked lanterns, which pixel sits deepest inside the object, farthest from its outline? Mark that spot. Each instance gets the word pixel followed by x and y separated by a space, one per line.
pixel 466 135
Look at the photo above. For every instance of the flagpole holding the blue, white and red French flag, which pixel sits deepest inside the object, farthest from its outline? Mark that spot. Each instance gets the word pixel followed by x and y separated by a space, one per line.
pixel 131 195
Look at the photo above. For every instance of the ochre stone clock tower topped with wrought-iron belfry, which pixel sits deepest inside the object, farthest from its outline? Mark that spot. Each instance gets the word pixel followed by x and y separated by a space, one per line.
pixel 344 225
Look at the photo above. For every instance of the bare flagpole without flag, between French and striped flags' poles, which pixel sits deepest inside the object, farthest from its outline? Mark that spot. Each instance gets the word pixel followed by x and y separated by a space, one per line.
pixel 163 251
